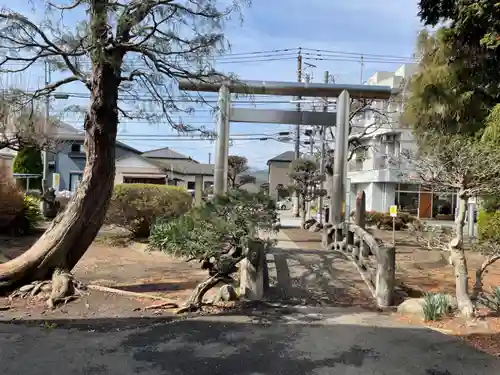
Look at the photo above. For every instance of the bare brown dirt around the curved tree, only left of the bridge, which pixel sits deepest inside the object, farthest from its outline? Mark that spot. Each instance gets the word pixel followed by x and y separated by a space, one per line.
pixel 126 267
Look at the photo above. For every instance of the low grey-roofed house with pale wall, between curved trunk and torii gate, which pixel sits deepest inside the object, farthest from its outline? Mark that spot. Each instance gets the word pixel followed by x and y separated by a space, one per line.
pixel 163 166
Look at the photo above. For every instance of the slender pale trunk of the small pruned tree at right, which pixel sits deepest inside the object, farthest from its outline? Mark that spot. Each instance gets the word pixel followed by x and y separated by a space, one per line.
pixel 459 262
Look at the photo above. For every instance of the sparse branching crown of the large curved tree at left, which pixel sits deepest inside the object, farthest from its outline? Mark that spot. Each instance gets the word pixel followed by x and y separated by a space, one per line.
pixel 151 44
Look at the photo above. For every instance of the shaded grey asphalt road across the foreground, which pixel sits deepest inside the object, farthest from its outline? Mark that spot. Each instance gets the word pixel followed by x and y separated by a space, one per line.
pixel 333 341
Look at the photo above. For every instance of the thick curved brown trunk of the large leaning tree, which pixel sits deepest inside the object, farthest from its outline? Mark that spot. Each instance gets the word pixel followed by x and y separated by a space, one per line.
pixel 72 232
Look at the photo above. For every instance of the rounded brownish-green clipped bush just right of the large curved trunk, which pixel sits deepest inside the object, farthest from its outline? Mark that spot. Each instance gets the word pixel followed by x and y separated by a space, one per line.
pixel 135 207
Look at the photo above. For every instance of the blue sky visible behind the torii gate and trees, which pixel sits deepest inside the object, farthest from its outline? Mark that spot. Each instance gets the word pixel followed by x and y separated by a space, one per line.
pixel 382 27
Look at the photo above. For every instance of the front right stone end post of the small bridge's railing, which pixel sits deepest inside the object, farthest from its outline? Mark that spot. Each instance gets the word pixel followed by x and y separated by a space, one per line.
pixel 386 269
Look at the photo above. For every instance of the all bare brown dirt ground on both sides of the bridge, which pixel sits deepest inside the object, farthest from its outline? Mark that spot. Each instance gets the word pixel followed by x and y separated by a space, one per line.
pixel 132 268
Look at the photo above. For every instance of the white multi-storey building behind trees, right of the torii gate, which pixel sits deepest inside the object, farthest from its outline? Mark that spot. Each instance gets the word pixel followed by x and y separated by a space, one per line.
pixel 371 170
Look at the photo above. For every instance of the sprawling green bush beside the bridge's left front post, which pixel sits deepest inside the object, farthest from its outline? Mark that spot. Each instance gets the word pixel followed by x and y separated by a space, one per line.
pixel 204 232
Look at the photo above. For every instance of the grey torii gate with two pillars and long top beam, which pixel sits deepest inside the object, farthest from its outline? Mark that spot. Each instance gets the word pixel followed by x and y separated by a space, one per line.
pixel 340 118
